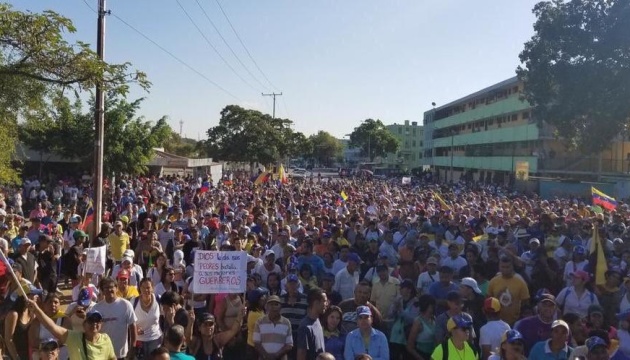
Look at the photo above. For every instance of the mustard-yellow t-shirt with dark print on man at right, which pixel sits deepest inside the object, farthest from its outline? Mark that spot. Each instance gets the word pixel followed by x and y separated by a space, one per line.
pixel 511 293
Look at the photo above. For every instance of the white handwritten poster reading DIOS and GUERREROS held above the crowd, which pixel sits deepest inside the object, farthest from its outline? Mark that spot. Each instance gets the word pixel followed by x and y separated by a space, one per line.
pixel 220 272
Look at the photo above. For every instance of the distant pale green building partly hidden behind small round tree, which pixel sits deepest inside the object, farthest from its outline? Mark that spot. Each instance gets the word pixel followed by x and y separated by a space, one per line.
pixel 409 155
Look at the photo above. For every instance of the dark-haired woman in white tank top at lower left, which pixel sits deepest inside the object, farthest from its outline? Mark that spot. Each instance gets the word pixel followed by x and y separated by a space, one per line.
pixel 147 311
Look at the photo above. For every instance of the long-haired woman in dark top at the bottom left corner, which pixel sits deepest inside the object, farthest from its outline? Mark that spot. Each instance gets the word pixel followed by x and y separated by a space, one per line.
pixel 16 325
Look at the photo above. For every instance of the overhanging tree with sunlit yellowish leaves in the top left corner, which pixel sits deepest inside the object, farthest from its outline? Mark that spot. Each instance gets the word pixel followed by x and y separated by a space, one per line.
pixel 36 63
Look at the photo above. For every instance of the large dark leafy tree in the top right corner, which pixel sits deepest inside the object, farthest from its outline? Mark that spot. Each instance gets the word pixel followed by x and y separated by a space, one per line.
pixel 576 70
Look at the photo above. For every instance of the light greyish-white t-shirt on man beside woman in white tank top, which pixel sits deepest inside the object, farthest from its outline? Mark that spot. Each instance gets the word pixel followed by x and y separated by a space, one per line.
pixel 117 316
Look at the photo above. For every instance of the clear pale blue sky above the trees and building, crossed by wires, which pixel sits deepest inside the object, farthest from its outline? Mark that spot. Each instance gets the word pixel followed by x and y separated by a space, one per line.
pixel 337 62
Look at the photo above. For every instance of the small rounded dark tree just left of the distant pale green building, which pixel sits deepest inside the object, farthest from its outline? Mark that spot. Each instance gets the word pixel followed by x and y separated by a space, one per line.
pixel 373 139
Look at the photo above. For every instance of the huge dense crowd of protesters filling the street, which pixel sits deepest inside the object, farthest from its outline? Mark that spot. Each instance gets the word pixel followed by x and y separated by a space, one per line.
pixel 336 269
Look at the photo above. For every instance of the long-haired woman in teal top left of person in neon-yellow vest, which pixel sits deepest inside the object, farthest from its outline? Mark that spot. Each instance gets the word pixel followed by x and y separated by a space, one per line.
pixel 421 338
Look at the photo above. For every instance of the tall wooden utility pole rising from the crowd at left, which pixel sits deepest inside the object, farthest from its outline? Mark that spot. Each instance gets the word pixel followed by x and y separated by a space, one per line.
pixel 99 124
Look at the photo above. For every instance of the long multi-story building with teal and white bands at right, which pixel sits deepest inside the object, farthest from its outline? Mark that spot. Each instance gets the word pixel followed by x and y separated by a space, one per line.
pixel 483 136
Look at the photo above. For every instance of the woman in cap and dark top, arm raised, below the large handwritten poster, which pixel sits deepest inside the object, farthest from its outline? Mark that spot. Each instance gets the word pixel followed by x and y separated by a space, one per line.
pixel 204 341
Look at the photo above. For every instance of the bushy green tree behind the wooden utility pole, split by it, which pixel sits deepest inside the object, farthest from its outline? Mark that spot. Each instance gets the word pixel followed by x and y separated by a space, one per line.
pixel 68 131
